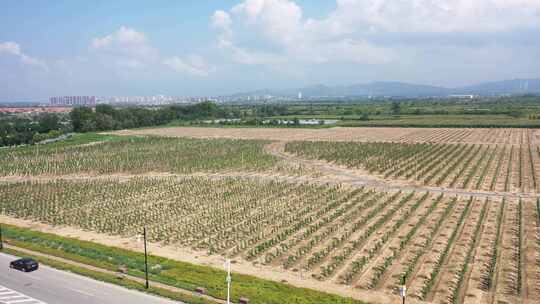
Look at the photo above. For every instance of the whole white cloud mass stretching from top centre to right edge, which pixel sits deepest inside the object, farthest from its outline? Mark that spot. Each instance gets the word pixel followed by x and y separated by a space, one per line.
pixel 276 32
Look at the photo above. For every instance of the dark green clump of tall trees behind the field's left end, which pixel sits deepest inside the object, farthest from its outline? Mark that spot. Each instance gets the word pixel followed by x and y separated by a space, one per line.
pixel 29 129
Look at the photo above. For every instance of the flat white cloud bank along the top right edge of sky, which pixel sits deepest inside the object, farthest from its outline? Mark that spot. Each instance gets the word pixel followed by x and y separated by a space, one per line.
pixel 437 15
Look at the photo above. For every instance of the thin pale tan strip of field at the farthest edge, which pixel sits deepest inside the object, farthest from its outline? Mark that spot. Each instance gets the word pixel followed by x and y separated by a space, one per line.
pixel 439 135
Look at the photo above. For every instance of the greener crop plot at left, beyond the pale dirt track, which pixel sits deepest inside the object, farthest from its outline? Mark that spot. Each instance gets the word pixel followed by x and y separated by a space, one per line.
pixel 137 155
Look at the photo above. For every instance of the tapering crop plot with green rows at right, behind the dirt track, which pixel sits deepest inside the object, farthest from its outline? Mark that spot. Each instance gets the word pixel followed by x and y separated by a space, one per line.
pixel 505 168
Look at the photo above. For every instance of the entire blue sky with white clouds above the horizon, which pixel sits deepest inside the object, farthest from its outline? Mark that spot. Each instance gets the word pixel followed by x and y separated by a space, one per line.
pixel 205 47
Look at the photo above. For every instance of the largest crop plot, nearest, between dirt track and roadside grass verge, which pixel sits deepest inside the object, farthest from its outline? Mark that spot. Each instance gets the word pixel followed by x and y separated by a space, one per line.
pixel 356 237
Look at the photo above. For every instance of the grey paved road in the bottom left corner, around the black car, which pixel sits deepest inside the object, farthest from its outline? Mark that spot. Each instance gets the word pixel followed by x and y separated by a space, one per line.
pixel 50 286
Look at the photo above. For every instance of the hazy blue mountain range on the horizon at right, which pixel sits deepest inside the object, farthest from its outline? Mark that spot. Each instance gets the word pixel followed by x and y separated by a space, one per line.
pixel 401 89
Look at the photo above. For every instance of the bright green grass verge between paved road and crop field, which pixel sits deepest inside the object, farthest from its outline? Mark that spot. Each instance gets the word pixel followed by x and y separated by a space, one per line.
pixel 178 274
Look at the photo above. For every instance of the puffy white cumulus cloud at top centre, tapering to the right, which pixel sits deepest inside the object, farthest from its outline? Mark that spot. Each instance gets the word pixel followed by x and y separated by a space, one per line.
pixel 294 39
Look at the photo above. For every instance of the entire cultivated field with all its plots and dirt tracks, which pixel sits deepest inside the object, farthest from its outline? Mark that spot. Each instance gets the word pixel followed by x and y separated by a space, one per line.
pixel 453 212
